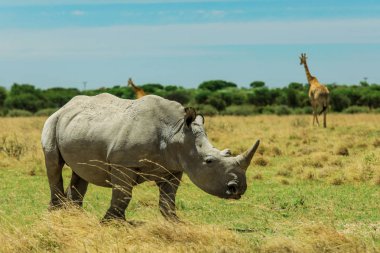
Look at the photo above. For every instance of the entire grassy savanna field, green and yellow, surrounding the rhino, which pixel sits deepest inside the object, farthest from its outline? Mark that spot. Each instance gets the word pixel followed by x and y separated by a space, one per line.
pixel 309 190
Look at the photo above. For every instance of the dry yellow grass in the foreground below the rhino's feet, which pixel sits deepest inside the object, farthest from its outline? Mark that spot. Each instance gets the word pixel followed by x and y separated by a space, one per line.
pixel 72 230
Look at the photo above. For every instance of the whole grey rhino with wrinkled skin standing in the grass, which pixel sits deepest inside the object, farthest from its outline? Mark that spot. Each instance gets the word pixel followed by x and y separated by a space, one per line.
pixel 118 143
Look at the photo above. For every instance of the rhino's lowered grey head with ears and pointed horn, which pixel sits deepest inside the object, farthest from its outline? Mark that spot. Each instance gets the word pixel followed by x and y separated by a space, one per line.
pixel 214 171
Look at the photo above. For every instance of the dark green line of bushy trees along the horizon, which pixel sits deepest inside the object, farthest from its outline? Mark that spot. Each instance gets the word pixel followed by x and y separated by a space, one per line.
pixel 210 97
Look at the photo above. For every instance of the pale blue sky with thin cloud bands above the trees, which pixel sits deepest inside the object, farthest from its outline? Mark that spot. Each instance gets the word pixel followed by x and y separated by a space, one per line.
pixel 50 43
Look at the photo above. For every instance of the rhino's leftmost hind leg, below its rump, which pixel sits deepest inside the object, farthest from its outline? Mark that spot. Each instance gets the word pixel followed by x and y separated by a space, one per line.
pixel 54 164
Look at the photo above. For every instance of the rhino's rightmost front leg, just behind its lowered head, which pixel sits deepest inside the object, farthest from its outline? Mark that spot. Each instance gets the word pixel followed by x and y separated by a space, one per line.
pixel 168 189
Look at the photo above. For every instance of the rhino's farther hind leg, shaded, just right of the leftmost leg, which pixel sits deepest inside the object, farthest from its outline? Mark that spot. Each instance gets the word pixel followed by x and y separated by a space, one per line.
pixel 77 189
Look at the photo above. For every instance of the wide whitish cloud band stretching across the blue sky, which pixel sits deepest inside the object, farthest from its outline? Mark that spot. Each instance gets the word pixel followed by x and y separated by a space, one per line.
pixel 177 40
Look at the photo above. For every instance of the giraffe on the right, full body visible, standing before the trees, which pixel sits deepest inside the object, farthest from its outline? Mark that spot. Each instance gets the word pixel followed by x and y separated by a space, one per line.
pixel 318 93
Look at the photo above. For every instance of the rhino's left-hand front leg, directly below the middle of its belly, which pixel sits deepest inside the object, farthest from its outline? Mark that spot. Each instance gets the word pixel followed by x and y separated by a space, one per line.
pixel 122 184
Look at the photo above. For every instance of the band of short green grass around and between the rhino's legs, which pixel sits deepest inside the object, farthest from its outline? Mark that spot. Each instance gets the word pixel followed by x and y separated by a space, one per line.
pixel 268 208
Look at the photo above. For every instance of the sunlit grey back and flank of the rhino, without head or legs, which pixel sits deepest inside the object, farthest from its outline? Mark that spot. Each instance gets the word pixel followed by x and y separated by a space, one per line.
pixel 113 130
